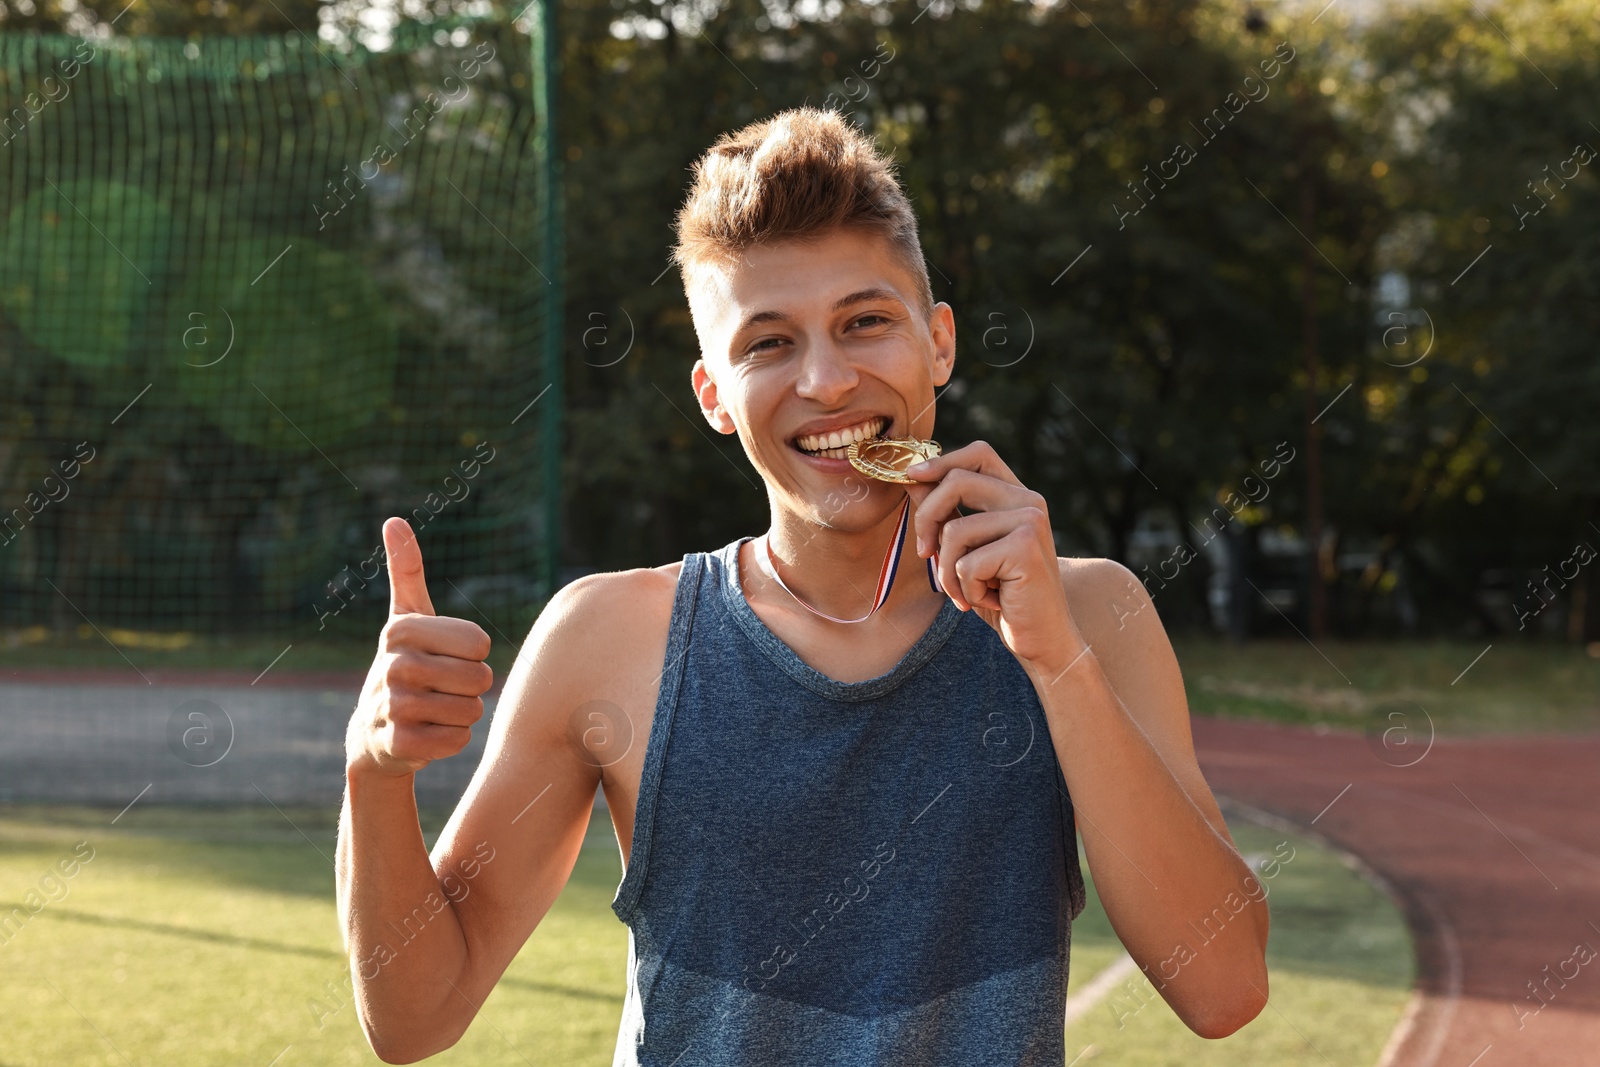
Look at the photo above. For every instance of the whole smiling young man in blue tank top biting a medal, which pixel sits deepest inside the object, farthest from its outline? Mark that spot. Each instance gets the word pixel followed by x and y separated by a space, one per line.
pixel 846 805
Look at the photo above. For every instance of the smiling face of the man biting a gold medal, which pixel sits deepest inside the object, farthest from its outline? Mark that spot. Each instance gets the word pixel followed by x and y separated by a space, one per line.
pixel 802 340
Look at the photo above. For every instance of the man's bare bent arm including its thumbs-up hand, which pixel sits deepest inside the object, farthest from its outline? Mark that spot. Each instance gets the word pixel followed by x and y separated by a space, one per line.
pixel 430 937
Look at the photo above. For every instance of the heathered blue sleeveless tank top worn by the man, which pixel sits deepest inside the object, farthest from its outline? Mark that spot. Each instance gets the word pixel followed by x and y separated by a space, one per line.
pixel 844 873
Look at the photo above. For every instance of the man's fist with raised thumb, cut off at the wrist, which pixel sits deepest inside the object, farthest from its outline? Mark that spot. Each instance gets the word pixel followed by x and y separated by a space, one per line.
pixel 426 685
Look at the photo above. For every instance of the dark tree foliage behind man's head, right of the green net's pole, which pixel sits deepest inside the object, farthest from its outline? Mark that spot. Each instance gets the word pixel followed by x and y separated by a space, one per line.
pixel 1170 358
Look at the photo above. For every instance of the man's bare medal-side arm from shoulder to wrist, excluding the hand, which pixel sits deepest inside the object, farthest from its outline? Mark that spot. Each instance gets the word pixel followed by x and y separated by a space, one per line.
pixel 1159 850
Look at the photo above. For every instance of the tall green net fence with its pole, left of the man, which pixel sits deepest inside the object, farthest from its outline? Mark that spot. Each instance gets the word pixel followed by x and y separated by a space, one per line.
pixel 258 295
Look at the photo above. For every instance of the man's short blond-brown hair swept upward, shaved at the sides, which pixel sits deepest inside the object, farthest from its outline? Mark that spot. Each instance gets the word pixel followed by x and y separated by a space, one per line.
pixel 794 177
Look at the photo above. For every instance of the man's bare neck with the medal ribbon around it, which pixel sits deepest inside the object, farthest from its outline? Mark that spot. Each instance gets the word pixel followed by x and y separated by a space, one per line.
pixel 838 572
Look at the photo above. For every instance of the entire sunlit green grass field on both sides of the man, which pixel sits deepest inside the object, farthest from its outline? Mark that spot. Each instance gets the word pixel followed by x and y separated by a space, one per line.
pixel 210 938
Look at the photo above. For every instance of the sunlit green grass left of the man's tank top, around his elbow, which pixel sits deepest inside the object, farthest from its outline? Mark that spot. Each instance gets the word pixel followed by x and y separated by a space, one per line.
pixel 210 938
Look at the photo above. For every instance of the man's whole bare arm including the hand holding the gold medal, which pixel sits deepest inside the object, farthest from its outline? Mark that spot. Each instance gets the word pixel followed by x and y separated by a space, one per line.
pixel 1119 722
